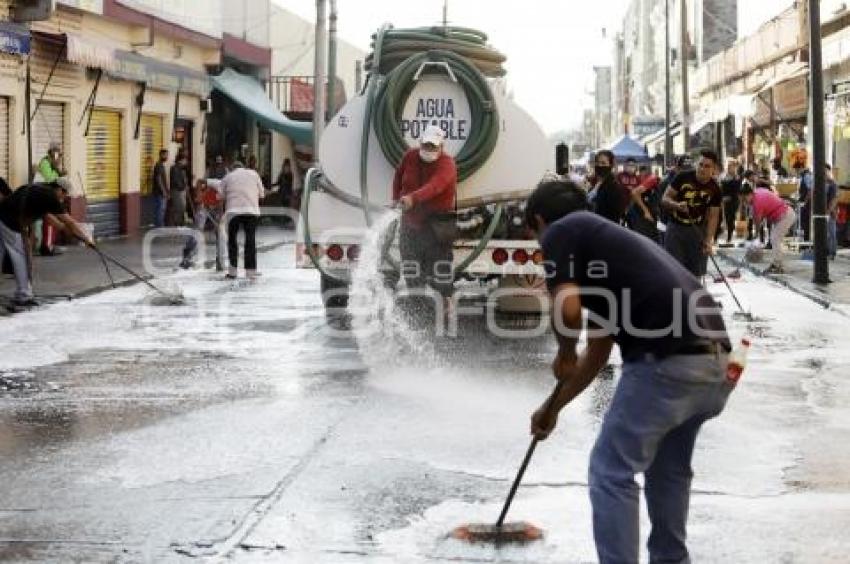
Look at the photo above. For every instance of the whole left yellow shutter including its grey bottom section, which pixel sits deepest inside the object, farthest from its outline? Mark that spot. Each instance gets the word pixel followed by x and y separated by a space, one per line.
pixel 103 172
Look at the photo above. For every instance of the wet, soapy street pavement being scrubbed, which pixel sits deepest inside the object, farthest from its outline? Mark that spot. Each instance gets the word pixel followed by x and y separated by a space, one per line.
pixel 247 426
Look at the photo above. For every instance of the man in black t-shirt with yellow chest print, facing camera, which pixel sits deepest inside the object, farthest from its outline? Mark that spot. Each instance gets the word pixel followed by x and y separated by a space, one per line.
pixel 693 201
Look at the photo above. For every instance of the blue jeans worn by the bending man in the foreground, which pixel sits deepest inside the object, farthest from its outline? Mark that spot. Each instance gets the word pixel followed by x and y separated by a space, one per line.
pixel 651 428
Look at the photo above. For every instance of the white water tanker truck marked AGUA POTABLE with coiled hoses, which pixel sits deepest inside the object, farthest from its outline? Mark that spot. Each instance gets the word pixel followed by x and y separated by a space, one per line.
pixel 449 77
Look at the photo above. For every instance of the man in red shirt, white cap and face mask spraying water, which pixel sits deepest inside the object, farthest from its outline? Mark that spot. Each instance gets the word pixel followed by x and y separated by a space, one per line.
pixel 424 186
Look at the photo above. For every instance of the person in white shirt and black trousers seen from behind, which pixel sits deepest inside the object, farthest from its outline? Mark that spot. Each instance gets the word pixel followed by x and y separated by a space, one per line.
pixel 242 189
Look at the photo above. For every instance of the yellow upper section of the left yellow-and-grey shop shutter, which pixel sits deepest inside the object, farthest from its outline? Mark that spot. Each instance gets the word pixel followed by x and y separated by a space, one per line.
pixel 103 157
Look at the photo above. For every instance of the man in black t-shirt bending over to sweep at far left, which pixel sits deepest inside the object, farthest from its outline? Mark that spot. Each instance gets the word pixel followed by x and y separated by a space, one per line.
pixel 17 212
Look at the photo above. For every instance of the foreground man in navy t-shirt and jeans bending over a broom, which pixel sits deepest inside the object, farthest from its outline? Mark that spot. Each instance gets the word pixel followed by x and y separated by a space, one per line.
pixel 674 347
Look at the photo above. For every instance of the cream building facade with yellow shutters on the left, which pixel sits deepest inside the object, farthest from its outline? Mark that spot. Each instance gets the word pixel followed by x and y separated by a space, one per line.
pixel 111 84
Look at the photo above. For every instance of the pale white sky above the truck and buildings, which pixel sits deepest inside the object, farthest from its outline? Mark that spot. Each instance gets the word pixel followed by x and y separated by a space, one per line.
pixel 551 45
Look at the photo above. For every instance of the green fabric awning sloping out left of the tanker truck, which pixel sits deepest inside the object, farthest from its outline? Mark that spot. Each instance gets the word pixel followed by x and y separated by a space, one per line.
pixel 249 94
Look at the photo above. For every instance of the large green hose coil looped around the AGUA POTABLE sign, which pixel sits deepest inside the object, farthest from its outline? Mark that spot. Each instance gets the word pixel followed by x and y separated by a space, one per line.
pixel 395 89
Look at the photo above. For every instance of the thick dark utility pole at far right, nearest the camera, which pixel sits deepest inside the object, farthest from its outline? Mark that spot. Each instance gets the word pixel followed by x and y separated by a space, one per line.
pixel 820 217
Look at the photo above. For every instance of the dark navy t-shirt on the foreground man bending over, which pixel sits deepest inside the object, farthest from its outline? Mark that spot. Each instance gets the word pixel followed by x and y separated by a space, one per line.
pixel 649 302
